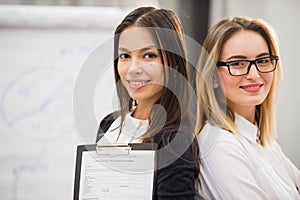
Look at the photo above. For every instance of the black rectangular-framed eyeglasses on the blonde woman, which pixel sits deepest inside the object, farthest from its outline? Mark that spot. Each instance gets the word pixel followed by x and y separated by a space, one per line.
pixel 242 67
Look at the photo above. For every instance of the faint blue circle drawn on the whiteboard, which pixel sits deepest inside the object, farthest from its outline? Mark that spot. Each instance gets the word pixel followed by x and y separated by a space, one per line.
pixel 33 98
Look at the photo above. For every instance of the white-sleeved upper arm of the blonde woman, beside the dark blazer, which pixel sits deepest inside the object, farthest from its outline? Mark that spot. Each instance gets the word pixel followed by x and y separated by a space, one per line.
pixel 230 173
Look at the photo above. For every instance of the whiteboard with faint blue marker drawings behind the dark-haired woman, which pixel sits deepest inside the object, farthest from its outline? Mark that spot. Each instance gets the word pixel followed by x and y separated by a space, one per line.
pixel 42 51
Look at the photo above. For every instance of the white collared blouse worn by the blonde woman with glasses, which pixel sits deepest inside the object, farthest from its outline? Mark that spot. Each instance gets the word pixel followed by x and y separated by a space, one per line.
pixel 237 167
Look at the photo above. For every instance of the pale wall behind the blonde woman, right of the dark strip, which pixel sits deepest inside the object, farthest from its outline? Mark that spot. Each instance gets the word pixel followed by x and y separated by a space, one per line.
pixel 284 17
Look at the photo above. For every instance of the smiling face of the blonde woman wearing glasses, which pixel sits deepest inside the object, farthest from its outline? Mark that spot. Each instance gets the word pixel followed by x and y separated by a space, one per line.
pixel 243 93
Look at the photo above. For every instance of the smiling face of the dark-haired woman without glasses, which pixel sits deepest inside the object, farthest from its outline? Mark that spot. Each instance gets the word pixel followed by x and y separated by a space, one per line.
pixel 139 65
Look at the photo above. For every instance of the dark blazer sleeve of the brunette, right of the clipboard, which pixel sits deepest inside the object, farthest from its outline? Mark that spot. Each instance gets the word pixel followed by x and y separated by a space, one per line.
pixel 176 170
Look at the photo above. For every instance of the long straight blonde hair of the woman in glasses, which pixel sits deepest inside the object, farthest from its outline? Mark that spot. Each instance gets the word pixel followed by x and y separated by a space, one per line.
pixel 212 101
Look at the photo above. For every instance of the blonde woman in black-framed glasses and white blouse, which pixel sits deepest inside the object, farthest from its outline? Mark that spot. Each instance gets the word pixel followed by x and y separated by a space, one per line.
pixel 237 85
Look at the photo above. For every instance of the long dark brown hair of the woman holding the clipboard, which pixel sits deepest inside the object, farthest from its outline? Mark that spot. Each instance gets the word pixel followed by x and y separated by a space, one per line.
pixel 167 33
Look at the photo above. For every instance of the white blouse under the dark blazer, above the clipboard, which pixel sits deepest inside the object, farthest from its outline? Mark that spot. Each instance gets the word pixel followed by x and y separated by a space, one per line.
pixel 132 130
